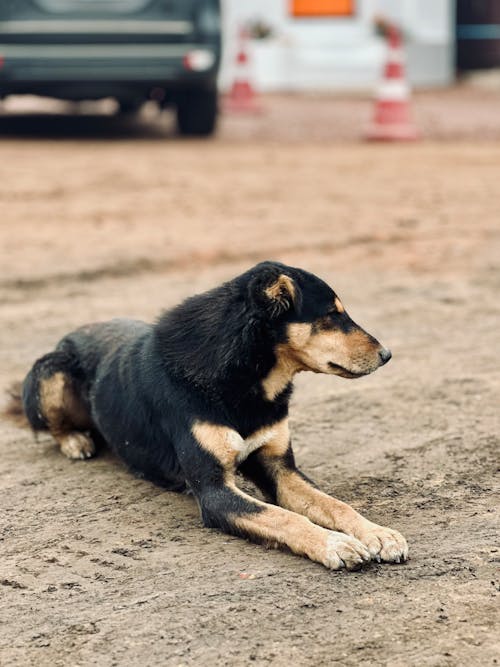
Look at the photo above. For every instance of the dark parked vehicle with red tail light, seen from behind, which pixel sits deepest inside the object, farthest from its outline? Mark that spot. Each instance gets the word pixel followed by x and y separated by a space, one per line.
pixel 128 49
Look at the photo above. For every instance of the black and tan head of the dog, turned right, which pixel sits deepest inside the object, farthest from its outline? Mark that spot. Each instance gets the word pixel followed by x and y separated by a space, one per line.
pixel 315 331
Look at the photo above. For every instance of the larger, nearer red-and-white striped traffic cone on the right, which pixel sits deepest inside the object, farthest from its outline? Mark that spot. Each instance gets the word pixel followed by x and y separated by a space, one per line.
pixel 392 120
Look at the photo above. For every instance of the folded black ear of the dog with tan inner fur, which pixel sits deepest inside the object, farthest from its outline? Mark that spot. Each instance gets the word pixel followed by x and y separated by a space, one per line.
pixel 276 292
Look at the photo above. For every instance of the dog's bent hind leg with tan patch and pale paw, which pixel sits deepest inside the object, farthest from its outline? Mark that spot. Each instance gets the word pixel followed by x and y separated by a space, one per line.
pixel 54 400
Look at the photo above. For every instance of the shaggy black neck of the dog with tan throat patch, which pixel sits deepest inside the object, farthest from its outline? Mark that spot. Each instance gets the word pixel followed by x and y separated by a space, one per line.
pixel 245 361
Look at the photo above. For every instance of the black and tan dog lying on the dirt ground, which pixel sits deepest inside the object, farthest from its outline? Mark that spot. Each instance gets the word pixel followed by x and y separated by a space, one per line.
pixel 204 393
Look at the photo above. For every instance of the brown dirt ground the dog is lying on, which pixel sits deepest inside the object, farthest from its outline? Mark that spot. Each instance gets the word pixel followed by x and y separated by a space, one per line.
pixel 101 219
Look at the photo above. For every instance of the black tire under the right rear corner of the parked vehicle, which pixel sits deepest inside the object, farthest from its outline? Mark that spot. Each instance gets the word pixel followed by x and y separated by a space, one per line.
pixel 197 111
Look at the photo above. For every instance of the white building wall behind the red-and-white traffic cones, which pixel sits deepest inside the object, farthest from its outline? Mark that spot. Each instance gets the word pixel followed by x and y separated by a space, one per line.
pixel 344 53
